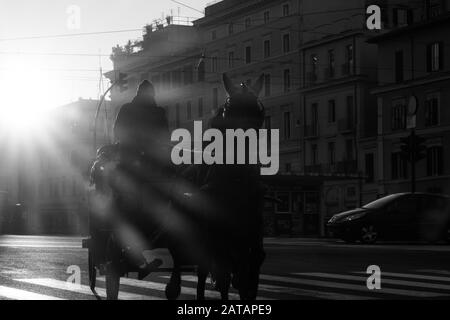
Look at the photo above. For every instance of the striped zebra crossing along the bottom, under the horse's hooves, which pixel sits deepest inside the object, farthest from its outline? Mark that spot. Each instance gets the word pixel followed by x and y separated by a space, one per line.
pixel 417 284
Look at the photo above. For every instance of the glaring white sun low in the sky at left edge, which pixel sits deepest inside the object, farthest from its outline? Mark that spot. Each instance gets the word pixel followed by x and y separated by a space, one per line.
pixel 26 96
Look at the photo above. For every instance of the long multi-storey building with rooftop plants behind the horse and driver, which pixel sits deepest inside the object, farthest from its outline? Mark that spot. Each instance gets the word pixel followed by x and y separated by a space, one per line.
pixel 322 90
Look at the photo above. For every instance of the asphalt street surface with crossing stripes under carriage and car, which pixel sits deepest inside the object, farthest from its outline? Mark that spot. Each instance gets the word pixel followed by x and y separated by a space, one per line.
pixel 37 268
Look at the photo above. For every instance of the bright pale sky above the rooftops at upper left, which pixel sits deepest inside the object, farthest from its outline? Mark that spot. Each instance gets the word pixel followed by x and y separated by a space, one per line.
pixel 34 76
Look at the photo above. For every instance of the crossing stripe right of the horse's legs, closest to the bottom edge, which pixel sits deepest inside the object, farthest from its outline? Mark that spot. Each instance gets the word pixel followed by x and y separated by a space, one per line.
pixel 295 291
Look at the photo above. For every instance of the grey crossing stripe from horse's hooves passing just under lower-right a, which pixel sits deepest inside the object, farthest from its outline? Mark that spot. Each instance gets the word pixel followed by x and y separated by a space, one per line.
pixel 353 287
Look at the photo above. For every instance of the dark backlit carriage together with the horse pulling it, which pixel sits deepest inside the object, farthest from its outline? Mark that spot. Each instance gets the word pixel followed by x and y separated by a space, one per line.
pixel 209 225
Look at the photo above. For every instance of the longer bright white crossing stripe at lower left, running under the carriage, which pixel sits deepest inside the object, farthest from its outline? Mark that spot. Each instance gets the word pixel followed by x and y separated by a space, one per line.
pixel 62 285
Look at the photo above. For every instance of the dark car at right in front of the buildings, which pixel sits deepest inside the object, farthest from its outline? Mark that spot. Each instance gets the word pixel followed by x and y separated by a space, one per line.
pixel 404 216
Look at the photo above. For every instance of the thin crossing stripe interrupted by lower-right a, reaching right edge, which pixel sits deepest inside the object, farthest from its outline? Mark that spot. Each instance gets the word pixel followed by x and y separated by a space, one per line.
pixel 384 281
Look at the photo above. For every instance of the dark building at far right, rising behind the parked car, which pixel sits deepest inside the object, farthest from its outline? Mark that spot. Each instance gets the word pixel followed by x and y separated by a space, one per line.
pixel 414 69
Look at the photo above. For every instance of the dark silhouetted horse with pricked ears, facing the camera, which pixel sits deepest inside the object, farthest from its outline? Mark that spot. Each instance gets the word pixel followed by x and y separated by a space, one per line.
pixel 229 204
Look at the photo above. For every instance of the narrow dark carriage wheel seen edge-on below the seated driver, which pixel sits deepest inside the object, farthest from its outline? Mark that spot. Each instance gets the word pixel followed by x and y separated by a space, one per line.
pixel 112 270
